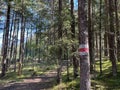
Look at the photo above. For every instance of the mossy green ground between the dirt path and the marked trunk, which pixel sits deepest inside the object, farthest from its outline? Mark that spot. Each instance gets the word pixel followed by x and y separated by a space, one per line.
pixel 71 84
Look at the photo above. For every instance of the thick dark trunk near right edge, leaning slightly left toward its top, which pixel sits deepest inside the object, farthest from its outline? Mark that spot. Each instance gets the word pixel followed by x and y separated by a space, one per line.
pixel 112 52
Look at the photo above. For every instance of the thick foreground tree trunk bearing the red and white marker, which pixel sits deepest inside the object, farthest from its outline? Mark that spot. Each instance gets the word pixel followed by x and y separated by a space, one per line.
pixel 84 47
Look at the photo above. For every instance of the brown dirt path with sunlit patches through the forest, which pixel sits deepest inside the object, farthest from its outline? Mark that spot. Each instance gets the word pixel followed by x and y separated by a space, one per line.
pixel 43 82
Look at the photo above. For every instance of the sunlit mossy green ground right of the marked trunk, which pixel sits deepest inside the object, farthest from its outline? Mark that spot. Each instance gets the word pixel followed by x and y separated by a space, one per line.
pixel 107 81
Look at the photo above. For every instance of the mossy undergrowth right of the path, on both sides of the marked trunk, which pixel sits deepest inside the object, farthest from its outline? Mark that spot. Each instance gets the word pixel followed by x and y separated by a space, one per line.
pixel 98 82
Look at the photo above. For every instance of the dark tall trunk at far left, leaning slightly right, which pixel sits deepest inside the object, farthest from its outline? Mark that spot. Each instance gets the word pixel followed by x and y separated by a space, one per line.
pixel 5 42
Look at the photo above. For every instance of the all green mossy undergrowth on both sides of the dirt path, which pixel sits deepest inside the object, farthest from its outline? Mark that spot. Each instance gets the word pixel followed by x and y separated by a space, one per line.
pixel 98 82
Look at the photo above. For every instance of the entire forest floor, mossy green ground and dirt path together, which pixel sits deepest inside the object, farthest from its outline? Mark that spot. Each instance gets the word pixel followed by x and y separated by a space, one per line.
pixel 42 77
